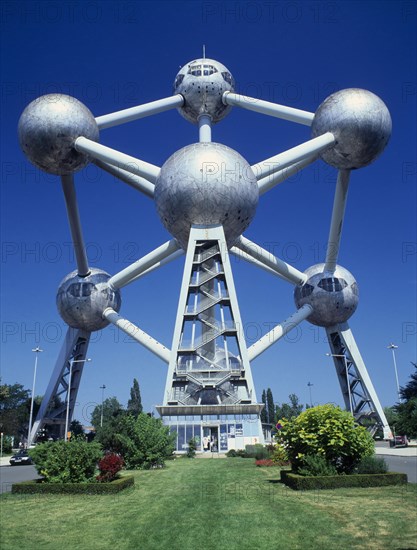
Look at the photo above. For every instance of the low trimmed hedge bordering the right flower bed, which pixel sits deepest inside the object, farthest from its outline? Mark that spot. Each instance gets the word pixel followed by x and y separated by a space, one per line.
pixel 306 483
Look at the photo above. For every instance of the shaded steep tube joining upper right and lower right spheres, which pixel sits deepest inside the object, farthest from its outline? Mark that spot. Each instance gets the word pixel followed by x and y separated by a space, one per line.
pixel 336 226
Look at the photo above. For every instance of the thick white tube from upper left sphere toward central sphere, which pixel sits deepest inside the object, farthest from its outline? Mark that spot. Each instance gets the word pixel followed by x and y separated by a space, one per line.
pixel 121 160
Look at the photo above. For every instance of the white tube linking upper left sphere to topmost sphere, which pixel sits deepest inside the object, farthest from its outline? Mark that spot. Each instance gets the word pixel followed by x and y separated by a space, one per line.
pixel 140 111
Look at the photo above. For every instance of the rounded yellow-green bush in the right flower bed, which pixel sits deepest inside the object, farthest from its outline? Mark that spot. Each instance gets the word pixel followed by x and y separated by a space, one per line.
pixel 328 431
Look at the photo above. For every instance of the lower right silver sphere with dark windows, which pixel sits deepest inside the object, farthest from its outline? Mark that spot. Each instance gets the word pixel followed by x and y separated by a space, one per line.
pixel 333 296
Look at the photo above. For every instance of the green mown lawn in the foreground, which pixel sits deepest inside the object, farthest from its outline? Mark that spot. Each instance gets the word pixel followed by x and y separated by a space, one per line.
pixel 213 504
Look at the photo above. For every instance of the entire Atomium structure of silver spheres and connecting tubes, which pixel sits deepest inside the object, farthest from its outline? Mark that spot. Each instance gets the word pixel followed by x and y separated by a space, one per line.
pixel 206 195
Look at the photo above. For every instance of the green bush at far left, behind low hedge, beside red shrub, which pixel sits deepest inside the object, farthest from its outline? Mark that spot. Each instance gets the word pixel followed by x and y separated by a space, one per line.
pixel 73 461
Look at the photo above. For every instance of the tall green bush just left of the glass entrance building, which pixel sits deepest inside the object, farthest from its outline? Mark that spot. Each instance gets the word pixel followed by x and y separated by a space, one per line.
pixel 143 441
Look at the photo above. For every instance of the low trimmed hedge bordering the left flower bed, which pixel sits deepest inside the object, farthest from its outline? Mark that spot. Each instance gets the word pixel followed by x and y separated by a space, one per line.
pixel 39 487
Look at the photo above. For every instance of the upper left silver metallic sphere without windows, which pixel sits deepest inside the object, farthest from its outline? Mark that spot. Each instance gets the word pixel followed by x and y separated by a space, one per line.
pixel 48 128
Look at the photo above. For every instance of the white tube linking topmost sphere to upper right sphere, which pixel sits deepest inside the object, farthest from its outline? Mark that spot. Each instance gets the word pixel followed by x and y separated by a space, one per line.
pixel 267 108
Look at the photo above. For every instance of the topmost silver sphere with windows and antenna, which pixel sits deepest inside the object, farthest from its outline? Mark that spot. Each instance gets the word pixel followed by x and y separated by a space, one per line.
pixel 202 83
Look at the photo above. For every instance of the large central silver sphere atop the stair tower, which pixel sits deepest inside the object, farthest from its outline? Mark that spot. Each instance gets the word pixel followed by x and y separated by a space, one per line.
pixel 206 184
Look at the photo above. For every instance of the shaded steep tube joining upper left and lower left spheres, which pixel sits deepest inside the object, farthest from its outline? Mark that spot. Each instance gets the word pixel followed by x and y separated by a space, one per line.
pixel 68 188
